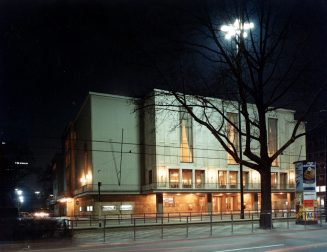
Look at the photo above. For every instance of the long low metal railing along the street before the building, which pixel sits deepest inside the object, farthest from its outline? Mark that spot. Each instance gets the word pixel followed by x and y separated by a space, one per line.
pixel 186 224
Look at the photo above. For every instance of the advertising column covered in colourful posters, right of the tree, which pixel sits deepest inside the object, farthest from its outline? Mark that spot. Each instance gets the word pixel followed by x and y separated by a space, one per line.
pixel 305 192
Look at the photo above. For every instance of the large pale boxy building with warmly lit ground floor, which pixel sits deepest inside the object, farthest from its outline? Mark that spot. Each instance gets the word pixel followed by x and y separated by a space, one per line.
pixel 120 157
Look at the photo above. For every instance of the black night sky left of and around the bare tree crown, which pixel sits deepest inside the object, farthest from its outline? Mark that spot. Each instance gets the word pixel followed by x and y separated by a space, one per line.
pixel 53 52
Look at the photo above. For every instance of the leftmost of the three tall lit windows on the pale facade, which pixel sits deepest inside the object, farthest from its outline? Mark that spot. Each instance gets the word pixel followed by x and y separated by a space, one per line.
pixel 186 137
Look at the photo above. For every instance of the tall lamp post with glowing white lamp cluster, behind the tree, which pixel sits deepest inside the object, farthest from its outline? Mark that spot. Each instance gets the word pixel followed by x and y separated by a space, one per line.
pixel 238 30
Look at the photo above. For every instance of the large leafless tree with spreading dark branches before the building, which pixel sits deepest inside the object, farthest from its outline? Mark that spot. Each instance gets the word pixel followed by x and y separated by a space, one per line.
pixel 259 71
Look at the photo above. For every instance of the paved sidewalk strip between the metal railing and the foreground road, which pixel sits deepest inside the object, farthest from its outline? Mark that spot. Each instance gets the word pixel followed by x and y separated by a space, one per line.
pixel 152 233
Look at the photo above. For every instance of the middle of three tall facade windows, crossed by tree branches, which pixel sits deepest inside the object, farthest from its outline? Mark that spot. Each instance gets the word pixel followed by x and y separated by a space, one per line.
pixel 232 134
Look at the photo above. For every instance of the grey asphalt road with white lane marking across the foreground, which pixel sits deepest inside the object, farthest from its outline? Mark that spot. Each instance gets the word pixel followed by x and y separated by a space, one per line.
pixel 272 240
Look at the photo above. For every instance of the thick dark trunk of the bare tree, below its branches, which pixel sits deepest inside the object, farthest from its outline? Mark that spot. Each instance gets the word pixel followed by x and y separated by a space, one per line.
pixel 266 214
